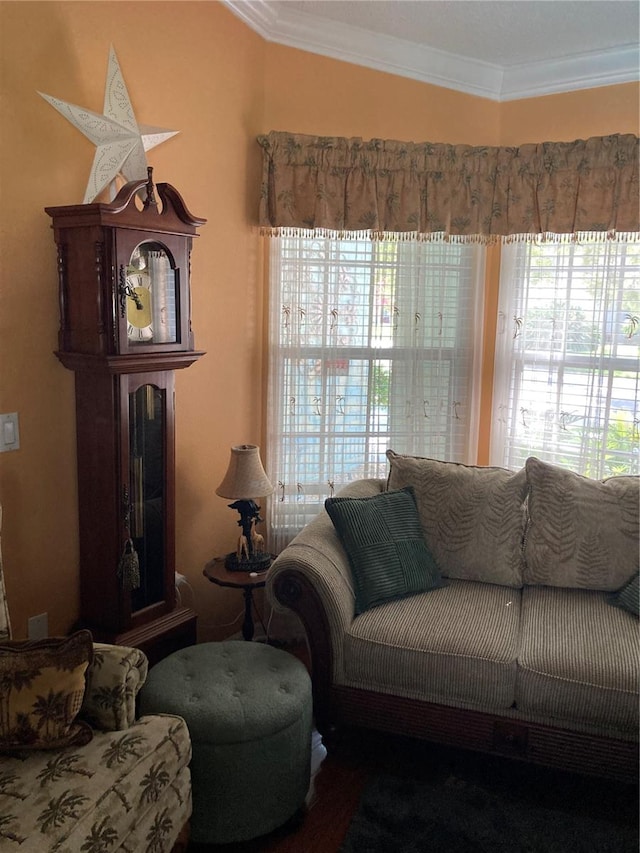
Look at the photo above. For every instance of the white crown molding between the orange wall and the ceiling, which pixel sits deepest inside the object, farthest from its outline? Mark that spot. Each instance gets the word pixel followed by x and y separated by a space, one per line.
pixel 439 68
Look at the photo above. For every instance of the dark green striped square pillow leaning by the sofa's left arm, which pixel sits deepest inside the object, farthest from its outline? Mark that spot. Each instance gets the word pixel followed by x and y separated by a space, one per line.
pixel 387 552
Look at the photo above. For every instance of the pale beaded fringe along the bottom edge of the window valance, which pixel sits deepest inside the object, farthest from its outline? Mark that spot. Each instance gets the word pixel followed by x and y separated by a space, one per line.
pixel 443 237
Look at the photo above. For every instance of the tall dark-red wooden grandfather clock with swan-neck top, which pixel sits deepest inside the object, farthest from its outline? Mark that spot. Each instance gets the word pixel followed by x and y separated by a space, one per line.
pixel 125 328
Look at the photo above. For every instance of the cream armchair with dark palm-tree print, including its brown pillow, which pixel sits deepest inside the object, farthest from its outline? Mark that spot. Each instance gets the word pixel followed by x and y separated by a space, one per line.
pixel 106 779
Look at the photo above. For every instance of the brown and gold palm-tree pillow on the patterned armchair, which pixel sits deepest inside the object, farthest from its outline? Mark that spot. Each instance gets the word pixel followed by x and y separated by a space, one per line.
pixel 43 684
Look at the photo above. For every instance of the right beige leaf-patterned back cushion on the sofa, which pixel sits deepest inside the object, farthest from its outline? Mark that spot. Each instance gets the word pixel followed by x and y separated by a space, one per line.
pixel 580 532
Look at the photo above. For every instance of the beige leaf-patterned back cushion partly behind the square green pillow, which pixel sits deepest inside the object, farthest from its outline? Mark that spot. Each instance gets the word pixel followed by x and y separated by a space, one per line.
pixel 472 516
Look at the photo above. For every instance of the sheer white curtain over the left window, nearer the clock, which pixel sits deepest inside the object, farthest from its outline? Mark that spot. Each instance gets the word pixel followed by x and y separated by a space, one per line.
pixel 373 344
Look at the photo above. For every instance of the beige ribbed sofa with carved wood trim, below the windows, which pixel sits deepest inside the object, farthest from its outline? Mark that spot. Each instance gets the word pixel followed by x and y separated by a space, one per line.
pixel 517 645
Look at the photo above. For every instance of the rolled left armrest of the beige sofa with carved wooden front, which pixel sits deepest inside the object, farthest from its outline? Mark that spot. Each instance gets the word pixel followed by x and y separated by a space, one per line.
pixel 312 577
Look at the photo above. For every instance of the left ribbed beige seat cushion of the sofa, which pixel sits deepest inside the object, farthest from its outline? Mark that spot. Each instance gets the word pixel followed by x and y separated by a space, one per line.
pixel 456 646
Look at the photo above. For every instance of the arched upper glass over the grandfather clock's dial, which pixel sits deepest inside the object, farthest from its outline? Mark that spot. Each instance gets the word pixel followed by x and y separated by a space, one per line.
pixel 152 316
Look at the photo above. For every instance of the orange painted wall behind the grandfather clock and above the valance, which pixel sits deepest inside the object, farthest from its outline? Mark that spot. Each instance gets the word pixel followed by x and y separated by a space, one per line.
pixel 220 84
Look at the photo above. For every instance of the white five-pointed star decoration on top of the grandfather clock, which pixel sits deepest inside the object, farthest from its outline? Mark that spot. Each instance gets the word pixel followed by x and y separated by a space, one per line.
pixel 120 142
